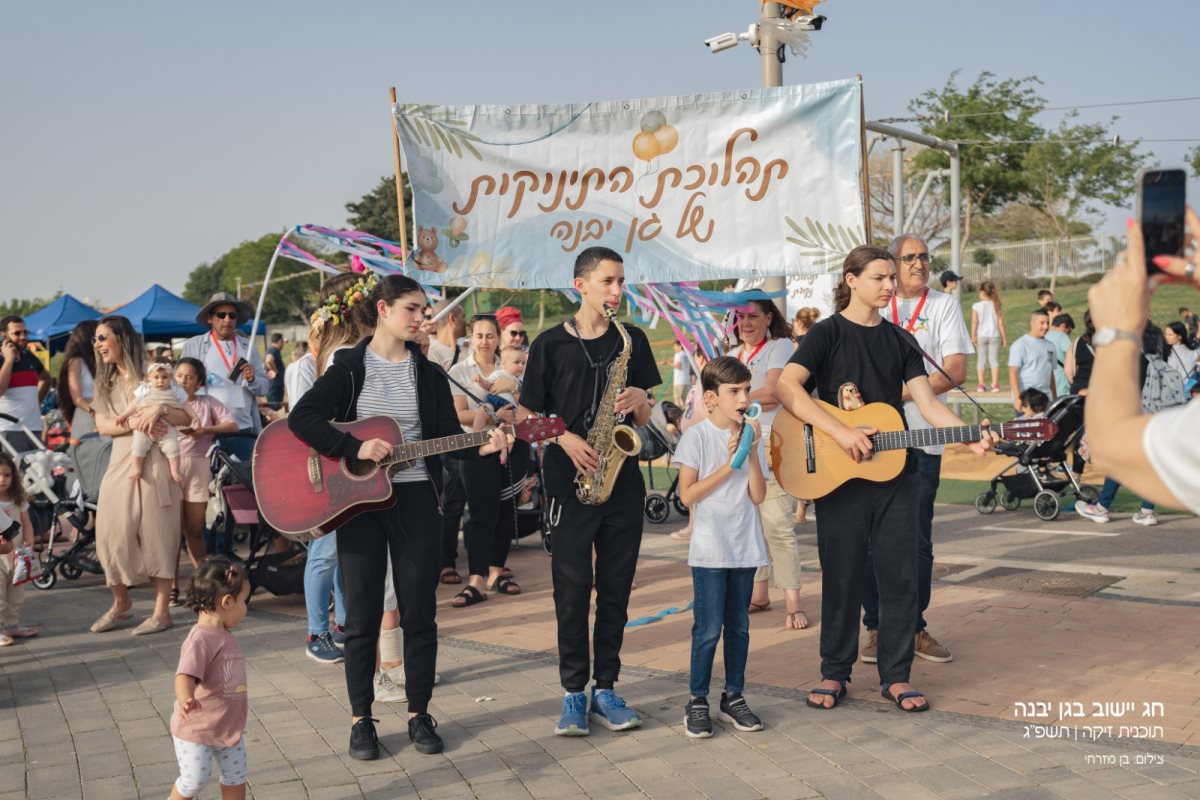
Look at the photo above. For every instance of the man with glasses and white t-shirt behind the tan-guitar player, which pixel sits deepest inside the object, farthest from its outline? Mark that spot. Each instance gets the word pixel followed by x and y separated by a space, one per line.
pixel 935 320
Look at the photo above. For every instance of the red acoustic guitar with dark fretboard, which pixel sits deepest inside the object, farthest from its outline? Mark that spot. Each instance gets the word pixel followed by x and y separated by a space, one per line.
pixel 302 494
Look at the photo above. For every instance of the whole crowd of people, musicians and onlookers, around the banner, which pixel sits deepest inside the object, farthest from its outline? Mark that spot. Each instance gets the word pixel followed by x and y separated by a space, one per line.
pixel 143 423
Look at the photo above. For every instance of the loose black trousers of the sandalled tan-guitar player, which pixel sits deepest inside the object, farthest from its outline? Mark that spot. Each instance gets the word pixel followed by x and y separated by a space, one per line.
pixel 884 518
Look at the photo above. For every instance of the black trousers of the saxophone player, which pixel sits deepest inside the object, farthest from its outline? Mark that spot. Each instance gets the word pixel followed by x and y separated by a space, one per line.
pixel 615 531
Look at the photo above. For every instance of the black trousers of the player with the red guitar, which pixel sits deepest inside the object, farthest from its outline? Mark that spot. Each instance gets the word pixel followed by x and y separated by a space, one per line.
pixel 411 533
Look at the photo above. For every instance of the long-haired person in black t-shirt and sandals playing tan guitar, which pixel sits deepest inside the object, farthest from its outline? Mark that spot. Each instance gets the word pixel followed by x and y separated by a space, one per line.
pixel 857 350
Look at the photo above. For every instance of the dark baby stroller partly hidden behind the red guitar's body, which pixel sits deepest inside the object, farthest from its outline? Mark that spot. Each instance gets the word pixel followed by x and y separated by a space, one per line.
pixel 232 506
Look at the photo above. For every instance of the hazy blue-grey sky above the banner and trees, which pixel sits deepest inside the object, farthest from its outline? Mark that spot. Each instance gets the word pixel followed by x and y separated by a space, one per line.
pixel 140 140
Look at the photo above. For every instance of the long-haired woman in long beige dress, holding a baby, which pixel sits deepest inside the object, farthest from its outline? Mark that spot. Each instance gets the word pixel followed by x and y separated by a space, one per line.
pixel 137 522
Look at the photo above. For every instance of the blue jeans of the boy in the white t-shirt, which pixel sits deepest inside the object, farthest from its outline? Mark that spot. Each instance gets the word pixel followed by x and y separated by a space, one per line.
pixel 722 600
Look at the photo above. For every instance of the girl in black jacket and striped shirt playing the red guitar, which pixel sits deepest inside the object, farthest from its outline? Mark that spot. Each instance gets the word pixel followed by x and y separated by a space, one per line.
pixel 385 375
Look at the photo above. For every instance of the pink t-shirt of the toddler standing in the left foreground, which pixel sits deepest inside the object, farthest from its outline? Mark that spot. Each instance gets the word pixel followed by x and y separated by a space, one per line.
pixel 213 657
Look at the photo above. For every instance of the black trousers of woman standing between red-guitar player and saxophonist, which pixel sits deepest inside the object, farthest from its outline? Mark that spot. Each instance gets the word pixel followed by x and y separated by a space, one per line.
pixel 493 522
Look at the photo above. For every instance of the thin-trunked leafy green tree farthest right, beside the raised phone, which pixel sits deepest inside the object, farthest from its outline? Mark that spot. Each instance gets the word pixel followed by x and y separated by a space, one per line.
pixel 1073 170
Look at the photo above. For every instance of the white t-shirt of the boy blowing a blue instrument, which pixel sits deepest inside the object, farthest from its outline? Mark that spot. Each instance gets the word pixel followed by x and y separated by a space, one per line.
pixel 725 530
